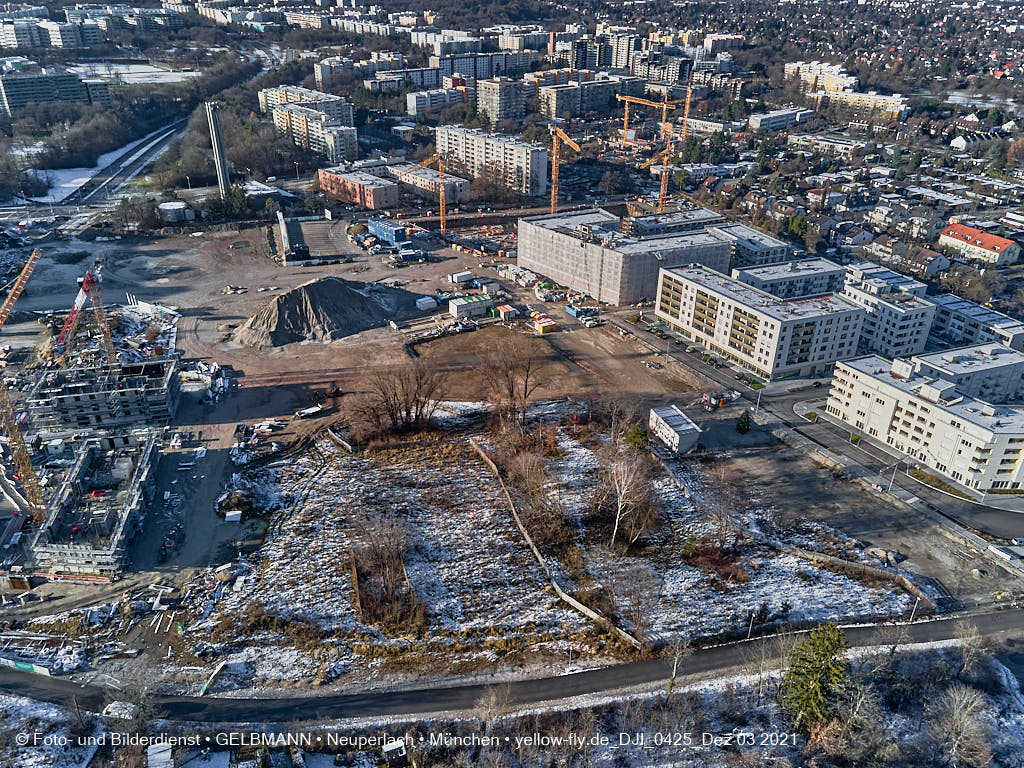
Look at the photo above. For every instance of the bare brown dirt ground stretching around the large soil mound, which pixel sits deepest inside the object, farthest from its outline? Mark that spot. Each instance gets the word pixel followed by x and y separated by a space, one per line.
pixel 192 273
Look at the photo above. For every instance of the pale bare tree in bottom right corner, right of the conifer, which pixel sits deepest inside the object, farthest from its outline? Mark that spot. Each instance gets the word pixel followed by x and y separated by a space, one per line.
pixel 957 722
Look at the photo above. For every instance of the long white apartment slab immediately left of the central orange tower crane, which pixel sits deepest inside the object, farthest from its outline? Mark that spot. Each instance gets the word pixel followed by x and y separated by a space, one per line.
pixel 520 166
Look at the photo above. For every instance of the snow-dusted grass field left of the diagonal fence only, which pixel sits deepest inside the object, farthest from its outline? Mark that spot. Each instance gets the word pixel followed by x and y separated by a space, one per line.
pixel 465 561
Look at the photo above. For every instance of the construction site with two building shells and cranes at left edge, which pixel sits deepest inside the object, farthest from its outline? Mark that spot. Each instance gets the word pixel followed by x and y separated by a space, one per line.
pixel 84 441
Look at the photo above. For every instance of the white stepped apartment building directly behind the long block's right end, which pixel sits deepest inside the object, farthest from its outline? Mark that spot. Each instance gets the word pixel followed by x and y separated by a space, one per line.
pixel 899 319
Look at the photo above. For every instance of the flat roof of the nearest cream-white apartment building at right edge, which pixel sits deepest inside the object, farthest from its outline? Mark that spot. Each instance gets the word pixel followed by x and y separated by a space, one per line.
pixel 998 419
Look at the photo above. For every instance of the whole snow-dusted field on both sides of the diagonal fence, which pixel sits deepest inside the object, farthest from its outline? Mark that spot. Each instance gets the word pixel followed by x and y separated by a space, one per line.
pixel 468 566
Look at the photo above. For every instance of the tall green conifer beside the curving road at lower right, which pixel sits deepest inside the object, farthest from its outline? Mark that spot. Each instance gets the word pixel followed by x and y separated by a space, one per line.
pixel 818 674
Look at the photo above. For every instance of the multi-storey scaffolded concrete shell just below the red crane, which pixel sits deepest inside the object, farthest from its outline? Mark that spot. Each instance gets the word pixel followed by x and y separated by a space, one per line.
pixel 108 397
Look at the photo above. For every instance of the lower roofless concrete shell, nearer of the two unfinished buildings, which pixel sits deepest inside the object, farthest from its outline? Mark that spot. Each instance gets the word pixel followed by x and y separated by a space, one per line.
pixel 99 505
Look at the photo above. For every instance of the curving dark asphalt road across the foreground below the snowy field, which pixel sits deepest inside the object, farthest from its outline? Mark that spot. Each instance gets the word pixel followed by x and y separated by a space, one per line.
pixel 709 663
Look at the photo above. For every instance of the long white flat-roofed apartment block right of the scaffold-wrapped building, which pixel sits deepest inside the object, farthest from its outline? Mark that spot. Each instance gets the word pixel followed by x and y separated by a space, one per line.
pixel 775 338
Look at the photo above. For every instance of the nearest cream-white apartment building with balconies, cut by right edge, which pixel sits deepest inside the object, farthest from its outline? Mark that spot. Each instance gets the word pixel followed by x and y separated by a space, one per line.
pixel 974 443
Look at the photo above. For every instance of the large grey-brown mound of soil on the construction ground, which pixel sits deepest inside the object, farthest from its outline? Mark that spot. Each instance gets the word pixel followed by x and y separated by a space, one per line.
pixel 324 310
